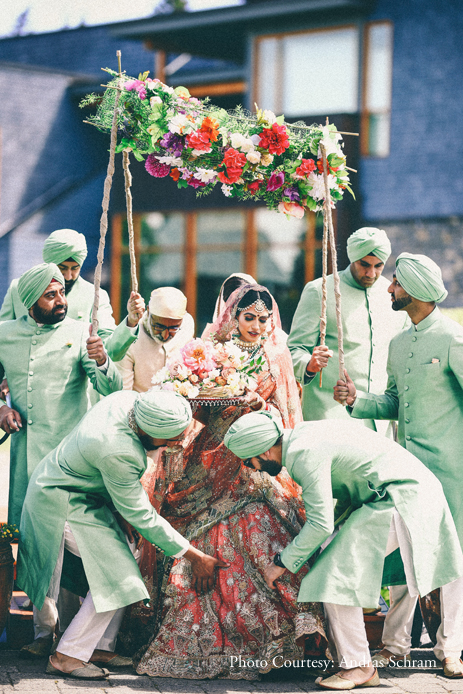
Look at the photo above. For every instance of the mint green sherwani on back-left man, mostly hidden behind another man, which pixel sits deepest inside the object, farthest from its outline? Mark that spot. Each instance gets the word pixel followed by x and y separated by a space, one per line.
pixel 80 305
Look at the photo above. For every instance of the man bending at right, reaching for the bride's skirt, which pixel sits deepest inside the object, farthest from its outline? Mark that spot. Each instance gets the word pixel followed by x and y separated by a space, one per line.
pixel 386 498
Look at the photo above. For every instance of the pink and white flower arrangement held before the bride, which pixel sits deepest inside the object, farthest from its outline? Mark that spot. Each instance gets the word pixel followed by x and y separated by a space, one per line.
pixel 203 368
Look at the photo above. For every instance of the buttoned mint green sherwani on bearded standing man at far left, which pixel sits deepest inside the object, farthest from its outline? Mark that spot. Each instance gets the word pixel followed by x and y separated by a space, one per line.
pixel 47 368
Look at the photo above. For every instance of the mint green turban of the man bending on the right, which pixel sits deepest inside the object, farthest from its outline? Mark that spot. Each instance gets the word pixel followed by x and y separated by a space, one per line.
pixel 253 434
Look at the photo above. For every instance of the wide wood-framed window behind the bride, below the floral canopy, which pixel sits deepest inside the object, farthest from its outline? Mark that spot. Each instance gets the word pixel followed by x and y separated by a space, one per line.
pixel 196 251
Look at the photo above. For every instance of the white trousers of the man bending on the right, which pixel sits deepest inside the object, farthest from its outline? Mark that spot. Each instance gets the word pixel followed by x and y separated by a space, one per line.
pixel 346 625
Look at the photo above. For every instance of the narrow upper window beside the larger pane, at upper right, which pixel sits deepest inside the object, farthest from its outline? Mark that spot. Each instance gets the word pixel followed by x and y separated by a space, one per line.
pixel 377 90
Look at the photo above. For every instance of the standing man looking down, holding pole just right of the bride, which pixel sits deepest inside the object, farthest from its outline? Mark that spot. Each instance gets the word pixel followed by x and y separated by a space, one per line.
pixel 368 327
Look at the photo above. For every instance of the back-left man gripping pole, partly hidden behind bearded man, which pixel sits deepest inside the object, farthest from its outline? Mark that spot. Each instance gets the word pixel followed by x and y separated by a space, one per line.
pixel 68 249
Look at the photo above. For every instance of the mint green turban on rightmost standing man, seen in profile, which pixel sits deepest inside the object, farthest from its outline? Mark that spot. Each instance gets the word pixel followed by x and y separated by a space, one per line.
pixel 421 277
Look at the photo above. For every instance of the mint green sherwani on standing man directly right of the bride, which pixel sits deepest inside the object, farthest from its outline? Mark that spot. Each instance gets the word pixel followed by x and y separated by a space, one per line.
pixel 369 324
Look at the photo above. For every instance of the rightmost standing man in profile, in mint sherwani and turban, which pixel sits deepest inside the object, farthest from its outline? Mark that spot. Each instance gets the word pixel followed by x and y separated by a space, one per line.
pixel 425 394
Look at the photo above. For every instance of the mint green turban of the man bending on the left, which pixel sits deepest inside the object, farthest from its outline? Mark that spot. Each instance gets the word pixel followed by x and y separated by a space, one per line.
pixel 162 414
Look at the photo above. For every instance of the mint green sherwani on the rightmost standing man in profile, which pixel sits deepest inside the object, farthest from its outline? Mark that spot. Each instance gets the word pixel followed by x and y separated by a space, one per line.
pixel 425 393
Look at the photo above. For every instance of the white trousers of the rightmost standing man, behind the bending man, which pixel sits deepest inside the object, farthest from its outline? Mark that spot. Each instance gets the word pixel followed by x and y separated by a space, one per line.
pixel 399 621
